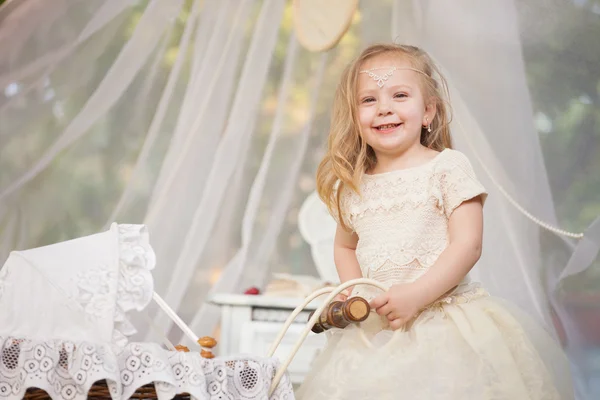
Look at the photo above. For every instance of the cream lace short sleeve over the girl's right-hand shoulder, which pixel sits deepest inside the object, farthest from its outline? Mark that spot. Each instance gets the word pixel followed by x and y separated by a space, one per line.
pixel 458 182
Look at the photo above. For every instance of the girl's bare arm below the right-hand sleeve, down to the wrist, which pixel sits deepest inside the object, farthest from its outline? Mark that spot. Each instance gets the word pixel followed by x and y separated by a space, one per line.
pixel 465 228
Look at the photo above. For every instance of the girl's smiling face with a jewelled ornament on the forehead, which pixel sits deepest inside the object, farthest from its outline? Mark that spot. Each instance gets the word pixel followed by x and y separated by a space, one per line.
pixel 391 116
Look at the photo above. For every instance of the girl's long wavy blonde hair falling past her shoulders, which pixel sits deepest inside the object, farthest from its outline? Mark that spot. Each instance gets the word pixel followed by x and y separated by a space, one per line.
pixel 348 155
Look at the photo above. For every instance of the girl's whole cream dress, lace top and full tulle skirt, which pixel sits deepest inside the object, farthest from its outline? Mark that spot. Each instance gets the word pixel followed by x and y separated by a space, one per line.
pixel 465 346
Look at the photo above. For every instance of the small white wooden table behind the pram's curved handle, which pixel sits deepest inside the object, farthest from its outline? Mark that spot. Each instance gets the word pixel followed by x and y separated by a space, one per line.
pixel 250 324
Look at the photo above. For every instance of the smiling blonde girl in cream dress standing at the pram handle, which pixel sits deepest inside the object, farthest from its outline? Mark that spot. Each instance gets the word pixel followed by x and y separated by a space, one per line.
pixel 410 215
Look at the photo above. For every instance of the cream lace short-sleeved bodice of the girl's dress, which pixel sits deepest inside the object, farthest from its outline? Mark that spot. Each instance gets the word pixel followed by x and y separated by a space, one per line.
pixel 401 217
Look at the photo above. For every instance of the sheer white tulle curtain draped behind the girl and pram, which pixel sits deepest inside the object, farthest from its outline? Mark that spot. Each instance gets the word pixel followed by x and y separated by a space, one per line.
pixel 206 120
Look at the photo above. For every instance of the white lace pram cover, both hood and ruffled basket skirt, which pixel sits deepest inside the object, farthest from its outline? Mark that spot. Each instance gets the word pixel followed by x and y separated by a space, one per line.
pixel 64 326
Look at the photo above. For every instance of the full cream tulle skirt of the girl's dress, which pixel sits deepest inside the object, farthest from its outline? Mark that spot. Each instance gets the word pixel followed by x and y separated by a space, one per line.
pixel 468 347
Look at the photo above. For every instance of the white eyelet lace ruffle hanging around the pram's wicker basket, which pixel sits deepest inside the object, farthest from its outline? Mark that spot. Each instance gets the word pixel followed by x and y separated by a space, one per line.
pixel 67 370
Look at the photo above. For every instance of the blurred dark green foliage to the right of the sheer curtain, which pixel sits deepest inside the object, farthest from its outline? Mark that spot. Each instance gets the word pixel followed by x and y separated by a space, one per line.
pixel 562 59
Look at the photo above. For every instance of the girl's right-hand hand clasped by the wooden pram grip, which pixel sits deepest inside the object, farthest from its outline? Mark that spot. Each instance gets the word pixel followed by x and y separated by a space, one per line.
pixel 400 304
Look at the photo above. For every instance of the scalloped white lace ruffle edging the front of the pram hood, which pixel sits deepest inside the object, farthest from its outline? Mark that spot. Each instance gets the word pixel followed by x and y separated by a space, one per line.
pixel 136 260
